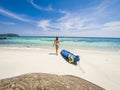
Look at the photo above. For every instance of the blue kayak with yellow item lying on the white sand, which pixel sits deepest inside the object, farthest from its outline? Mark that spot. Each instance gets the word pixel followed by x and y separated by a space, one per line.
pixel 70 57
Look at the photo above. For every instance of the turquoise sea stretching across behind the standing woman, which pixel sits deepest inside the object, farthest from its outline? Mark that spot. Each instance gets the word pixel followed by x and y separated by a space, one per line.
pixel 87 43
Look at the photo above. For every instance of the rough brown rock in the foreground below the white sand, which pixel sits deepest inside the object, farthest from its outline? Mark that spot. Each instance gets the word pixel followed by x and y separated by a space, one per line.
pixel 41 81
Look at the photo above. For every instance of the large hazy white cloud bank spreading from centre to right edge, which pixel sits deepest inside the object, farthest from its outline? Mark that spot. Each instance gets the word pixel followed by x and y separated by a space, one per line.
pixel 89 22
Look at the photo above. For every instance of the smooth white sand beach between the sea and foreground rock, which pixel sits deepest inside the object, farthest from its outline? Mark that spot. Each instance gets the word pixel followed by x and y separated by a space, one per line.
pixel 99 67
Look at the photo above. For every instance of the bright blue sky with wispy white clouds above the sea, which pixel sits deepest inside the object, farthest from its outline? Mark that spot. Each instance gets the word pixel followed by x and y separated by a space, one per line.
pixel 84 18
